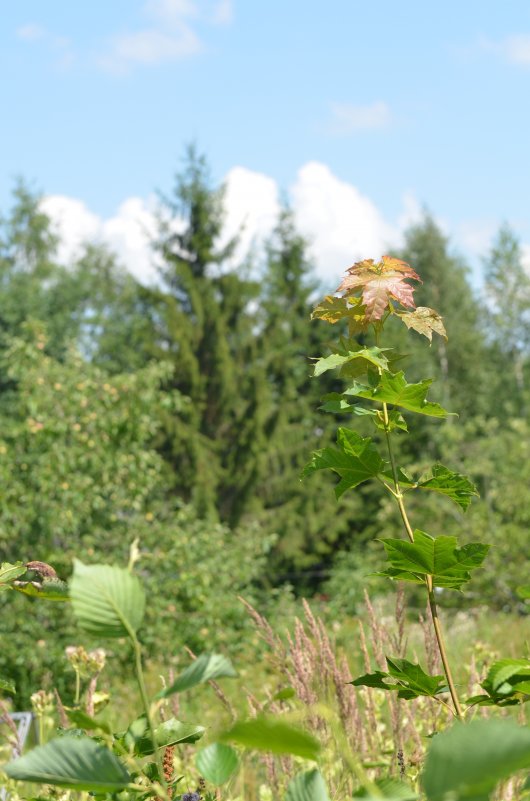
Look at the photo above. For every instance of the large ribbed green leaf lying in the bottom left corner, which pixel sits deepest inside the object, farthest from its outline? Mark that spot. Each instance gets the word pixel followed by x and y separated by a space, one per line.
pixel 77 763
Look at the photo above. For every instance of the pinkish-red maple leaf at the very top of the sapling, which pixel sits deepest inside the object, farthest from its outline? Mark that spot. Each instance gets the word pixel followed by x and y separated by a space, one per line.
pixel 380 282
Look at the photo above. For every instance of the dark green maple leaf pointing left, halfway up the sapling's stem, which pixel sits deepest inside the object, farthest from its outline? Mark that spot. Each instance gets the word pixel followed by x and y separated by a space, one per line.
pixel 355 462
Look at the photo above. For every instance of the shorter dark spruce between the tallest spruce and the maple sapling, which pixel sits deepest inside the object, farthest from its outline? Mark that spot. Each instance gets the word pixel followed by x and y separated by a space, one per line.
pixel 302 515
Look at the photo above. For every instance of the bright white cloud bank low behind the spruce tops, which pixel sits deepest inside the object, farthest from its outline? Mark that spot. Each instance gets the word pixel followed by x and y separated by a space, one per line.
pixel 341 224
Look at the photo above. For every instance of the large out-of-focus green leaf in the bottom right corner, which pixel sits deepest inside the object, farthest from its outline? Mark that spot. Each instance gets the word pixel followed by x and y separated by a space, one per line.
pixel 466 762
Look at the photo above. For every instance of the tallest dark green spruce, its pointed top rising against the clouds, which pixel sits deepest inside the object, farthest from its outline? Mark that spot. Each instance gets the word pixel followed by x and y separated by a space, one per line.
pixel 204 325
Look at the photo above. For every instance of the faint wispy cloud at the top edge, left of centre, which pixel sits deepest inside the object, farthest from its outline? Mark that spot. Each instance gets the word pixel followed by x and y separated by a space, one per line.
pixel 169 37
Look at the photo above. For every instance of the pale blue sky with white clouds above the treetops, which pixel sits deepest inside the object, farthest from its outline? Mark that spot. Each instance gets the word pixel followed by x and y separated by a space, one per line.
pixel 405 103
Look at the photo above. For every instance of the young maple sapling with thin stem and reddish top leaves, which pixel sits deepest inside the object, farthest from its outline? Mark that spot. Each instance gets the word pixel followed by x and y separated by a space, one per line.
pixel 371 292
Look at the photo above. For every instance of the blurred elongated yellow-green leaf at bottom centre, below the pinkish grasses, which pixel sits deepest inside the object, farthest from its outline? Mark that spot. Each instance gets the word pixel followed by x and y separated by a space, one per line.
pixel 267 734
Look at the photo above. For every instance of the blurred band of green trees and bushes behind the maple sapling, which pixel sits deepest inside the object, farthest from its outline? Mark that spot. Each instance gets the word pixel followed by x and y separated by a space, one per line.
pixel 182 413
